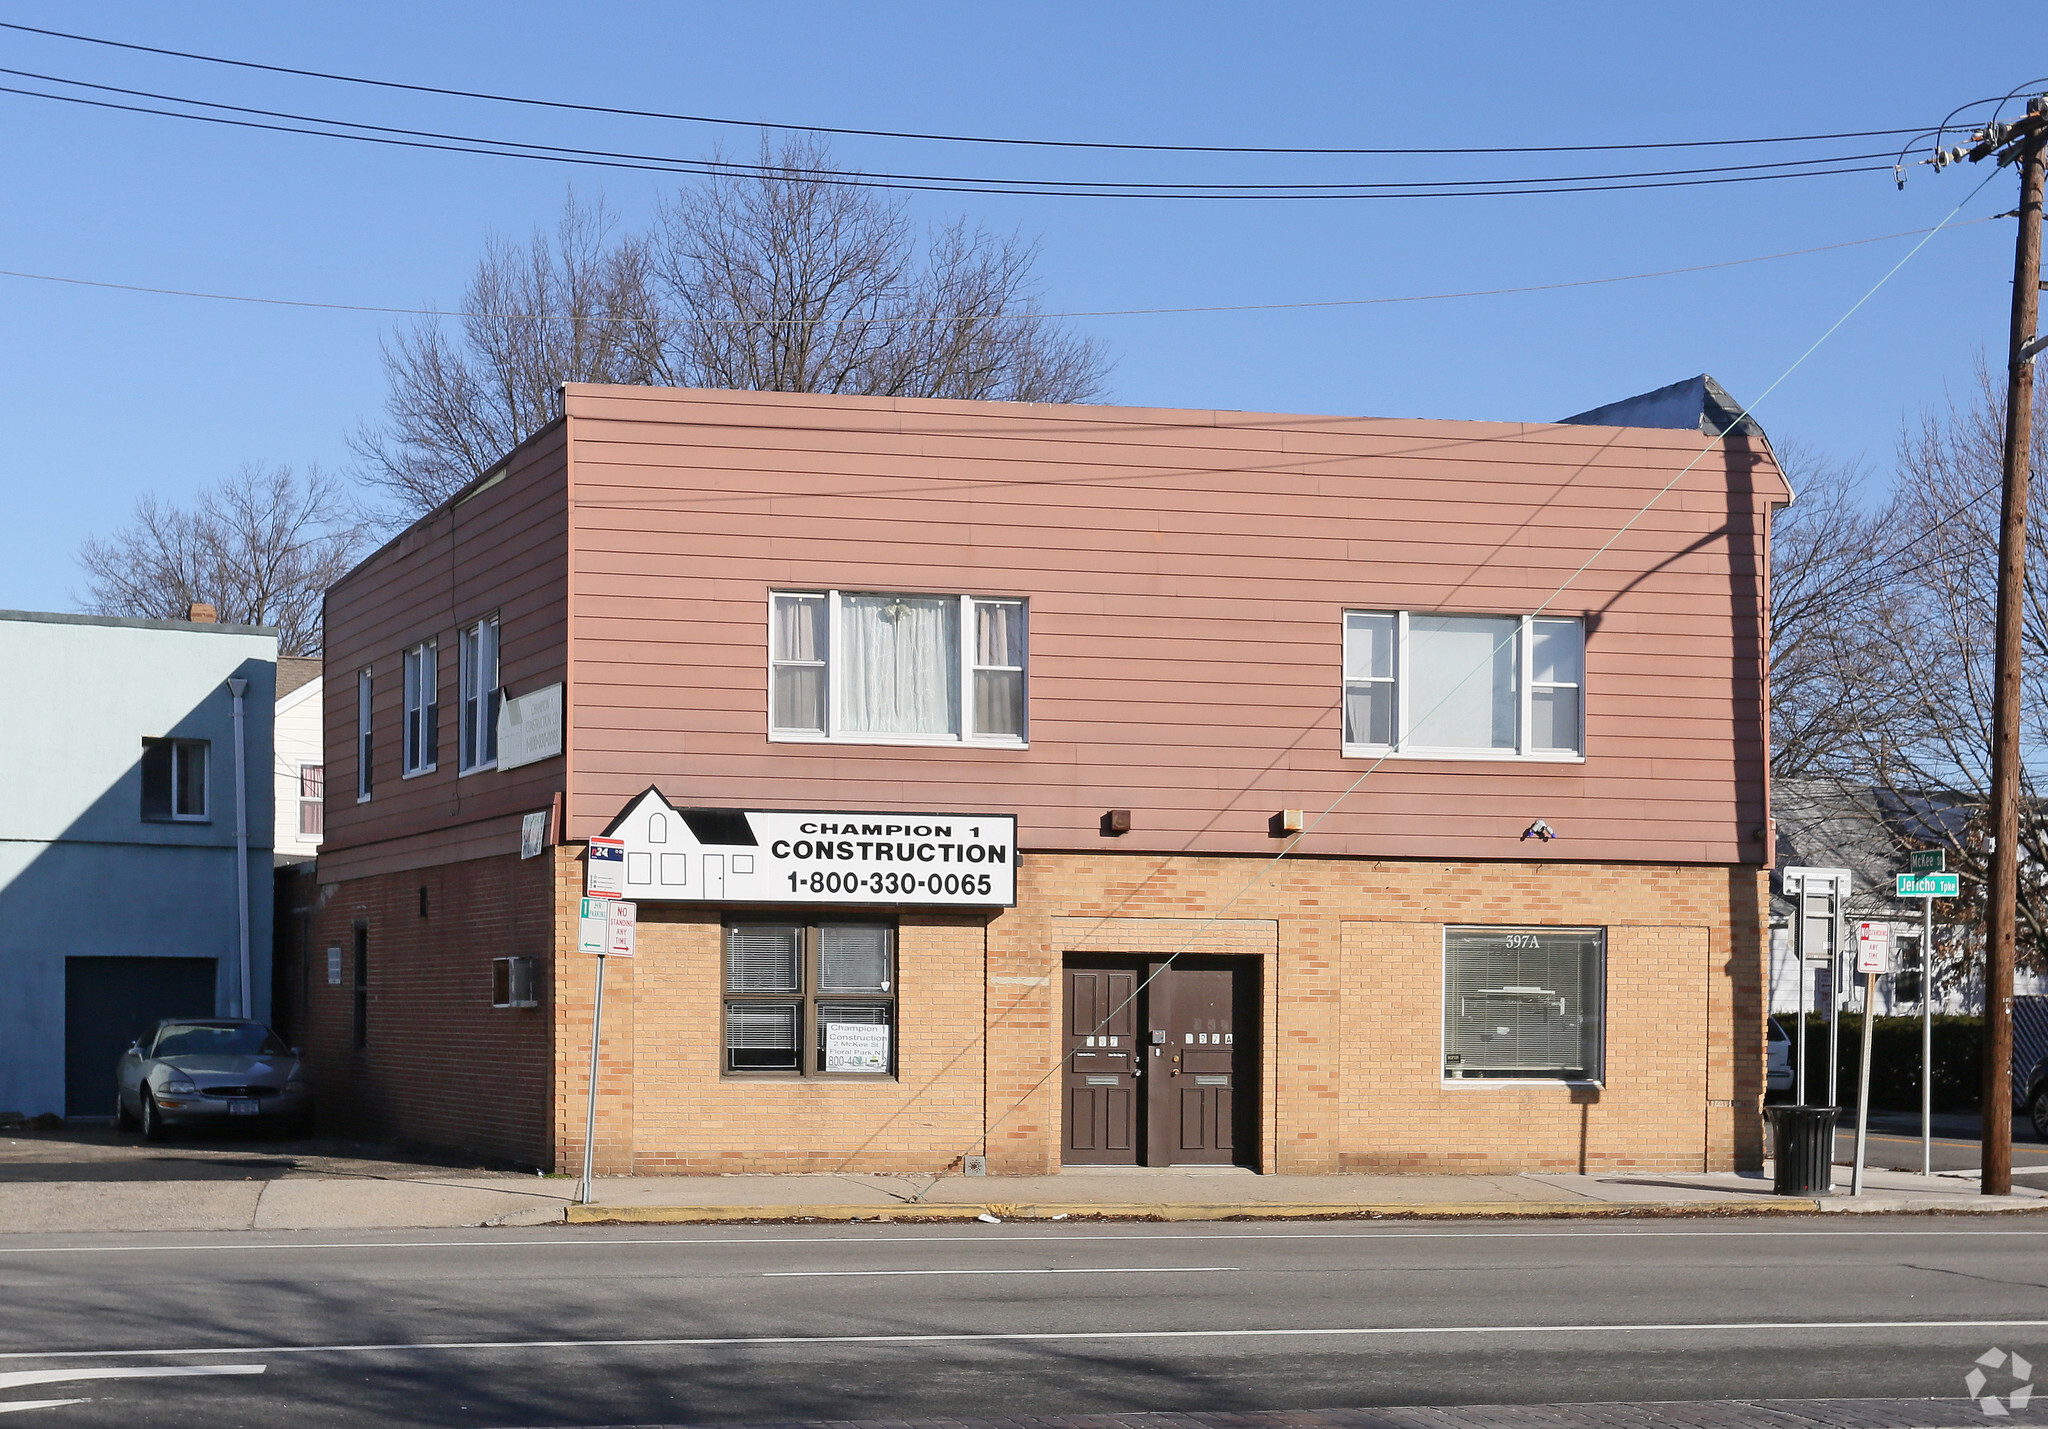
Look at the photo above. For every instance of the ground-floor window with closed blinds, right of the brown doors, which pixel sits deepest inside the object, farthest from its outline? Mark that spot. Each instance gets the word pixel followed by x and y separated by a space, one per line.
pixel 1525 1002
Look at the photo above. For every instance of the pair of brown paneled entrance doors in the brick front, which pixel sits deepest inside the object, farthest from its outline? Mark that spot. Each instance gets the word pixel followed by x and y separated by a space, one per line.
pixel 1160 1062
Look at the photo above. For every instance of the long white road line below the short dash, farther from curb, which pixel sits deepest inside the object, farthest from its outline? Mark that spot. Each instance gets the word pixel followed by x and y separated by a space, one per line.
pixel 1000 1338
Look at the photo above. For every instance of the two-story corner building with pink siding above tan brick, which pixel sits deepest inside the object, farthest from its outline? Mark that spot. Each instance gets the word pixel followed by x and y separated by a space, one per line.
pixel 1060 787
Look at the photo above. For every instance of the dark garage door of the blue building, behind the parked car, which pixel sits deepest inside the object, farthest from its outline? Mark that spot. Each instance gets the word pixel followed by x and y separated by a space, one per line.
pixel 108 1004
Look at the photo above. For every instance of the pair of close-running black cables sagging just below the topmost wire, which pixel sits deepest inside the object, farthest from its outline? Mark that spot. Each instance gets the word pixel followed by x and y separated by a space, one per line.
pixel 1046 189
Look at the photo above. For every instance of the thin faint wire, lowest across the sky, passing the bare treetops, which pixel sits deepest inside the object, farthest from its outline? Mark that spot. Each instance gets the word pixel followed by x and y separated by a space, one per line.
pixel 1084 312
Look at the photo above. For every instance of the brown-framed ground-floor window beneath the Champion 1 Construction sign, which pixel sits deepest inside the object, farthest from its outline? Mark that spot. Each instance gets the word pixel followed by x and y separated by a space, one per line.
pixel 810 1000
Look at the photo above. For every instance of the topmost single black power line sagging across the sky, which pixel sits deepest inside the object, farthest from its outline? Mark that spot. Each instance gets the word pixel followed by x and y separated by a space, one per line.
pixel 937 138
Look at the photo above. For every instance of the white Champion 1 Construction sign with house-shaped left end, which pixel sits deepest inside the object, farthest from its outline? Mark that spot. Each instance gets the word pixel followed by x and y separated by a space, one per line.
pixel 671 855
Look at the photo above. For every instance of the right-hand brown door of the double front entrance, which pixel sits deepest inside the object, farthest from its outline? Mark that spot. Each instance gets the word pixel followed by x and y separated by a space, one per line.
pixel 1193 1064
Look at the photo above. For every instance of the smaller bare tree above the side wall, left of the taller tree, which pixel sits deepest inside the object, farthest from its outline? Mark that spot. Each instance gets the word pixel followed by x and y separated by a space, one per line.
pixel 554 310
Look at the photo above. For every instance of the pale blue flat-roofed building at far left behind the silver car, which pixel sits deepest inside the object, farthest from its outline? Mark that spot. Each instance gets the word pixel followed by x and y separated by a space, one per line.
pixel 120 890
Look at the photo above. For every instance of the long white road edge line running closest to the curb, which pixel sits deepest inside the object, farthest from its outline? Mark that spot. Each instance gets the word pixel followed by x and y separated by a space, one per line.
pixel 1392 1233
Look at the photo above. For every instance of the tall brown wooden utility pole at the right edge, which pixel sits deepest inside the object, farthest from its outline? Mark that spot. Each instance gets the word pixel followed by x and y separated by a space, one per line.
pixel 1998 1094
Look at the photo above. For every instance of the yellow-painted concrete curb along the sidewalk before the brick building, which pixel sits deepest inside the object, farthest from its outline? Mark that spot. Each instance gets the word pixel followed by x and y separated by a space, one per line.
pixel 1232 1211
